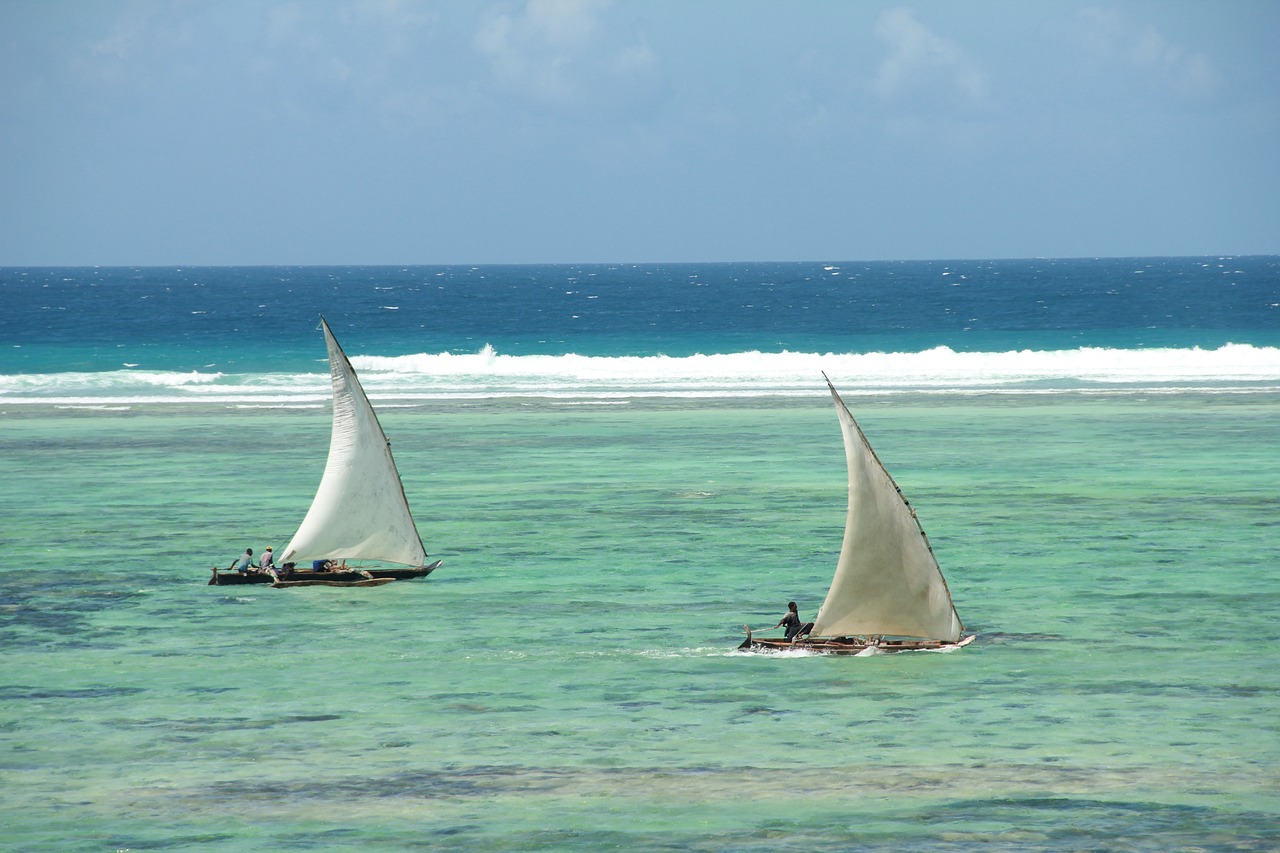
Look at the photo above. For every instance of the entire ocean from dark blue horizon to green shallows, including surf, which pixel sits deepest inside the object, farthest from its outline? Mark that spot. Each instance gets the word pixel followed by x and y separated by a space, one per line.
pixel 620 467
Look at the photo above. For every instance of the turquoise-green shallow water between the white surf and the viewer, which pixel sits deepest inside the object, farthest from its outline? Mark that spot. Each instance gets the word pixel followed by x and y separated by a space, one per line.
pixel 568 681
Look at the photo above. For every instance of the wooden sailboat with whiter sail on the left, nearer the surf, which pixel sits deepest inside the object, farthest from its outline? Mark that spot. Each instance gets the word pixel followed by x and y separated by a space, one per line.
pixel 360 512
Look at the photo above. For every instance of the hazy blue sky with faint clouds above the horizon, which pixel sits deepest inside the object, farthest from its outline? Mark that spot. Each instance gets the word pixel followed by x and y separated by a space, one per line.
pixel 245 133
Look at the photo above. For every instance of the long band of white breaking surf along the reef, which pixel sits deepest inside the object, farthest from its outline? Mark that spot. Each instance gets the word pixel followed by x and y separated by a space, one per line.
pixel 488 375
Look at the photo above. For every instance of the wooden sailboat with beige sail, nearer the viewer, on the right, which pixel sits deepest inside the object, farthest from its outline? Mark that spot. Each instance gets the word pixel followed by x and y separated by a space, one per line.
pixel 889 594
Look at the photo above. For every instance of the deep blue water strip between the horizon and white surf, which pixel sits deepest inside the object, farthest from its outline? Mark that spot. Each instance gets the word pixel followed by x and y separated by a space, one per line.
pixel 250 320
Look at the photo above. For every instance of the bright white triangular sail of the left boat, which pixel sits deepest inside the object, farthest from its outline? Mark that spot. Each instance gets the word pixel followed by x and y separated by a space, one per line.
pixel 360 510
